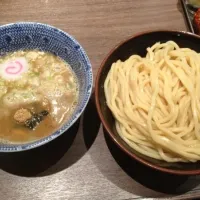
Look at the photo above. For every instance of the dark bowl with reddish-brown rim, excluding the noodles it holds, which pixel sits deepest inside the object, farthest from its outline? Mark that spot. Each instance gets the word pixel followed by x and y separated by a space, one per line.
pixel 138 44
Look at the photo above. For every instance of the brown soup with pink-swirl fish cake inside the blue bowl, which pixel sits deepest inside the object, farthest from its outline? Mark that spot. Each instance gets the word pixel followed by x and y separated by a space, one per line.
pixel 38 93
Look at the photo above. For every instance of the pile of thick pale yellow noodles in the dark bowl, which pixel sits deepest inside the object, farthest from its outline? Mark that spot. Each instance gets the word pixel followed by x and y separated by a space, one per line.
pixel 156 102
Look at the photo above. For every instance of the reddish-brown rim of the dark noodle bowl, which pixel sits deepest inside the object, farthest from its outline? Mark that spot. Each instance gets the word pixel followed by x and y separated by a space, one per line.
pixel 104 122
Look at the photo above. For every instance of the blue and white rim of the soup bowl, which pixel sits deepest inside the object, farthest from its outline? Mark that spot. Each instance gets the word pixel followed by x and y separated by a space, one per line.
pixel 42 141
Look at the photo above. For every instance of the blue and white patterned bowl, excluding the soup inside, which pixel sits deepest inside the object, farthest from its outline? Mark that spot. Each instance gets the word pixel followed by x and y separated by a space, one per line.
pixel 28 35
